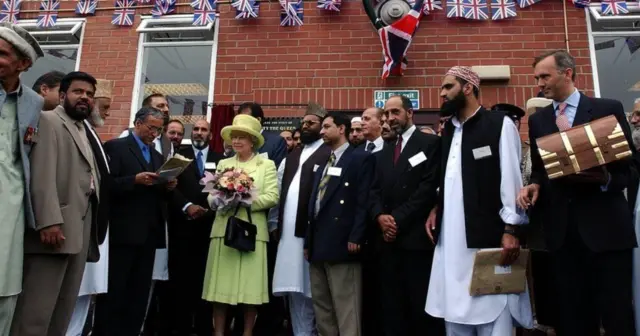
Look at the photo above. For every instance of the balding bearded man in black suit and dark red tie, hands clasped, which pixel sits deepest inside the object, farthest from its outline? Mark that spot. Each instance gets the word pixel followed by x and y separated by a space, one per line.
pixel 402 193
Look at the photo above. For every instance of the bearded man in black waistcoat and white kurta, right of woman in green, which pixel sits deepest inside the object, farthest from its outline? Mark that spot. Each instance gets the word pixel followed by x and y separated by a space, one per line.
pixel 291 276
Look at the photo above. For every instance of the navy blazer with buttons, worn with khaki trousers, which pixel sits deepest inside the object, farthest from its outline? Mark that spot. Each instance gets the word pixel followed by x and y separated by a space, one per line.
pixel 342 218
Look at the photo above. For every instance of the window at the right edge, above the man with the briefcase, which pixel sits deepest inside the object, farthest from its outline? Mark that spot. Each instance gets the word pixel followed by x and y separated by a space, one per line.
pixel 615 54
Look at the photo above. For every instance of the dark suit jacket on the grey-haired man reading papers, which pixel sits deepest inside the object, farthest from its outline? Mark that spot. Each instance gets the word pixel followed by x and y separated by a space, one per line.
pixel 137 211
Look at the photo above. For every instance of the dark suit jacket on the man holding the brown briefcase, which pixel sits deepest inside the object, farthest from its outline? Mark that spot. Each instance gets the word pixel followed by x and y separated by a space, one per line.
pixel 602 218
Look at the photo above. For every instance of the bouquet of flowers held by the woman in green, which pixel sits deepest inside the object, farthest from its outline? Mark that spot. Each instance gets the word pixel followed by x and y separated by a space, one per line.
pixel 230 187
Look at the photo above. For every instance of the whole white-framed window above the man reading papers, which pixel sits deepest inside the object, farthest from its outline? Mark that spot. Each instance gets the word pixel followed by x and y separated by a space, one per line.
pixel 177 60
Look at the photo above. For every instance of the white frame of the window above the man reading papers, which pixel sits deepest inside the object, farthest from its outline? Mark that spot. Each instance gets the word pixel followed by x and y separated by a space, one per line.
pixel 187 19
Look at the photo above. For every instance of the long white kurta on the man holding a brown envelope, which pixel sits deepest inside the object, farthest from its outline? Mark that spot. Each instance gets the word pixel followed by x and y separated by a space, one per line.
pixel 452 268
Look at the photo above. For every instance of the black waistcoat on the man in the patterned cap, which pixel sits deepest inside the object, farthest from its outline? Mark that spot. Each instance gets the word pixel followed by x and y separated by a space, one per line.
pixel 481 178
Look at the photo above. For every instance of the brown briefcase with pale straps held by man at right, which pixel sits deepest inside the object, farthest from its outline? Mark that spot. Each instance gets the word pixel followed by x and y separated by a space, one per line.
pixel 583 147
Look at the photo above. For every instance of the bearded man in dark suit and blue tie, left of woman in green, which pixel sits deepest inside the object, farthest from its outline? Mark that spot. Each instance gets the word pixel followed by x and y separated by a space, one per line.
pixel 189 231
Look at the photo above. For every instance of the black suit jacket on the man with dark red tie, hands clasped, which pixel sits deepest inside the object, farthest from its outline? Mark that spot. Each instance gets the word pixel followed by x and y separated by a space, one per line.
pixel 407 193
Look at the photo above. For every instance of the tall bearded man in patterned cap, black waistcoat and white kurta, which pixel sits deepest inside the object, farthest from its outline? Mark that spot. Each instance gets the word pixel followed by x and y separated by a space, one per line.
pixel 481 152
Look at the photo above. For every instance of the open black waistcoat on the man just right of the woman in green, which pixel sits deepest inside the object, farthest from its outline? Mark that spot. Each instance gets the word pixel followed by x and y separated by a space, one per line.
pixel 319 157
